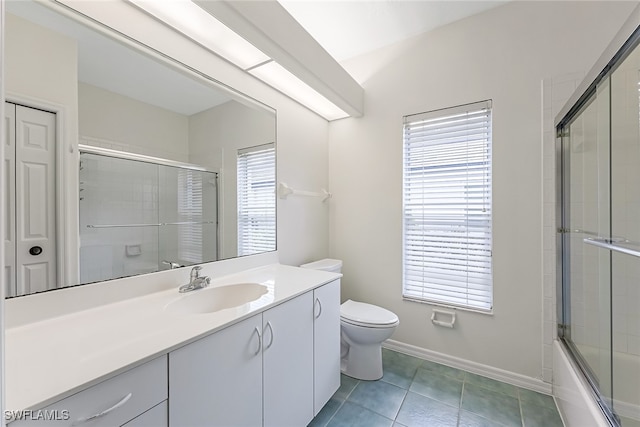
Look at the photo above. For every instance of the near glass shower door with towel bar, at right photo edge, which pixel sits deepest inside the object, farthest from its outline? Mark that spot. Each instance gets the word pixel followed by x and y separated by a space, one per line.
pixel 625 227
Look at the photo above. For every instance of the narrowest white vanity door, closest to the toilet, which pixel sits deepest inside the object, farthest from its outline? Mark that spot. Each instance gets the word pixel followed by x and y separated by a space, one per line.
pixel 326 343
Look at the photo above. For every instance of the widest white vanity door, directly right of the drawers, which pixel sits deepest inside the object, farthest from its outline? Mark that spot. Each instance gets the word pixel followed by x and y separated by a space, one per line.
pixel 217 381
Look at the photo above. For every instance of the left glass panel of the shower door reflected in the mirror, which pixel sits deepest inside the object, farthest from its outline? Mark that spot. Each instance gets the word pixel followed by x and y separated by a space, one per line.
pixel 118 217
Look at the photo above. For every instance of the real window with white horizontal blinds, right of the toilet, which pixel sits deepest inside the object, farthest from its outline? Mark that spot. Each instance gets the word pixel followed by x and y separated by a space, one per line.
pixel 447 207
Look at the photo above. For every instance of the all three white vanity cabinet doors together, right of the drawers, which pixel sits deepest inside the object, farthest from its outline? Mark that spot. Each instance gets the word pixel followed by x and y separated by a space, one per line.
pixel 277 368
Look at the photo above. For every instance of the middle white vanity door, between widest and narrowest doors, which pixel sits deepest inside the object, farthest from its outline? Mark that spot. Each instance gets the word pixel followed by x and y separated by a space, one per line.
pixel 288 363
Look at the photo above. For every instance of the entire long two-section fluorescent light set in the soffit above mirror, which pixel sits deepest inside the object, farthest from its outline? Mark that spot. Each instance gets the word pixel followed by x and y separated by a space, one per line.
pixel 197 24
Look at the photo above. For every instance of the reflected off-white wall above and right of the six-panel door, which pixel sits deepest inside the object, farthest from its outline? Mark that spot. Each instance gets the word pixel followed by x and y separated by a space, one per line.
pixel 47 79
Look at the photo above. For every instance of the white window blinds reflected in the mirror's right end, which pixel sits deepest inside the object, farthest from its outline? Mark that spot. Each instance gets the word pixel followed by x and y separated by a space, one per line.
pixel 256 200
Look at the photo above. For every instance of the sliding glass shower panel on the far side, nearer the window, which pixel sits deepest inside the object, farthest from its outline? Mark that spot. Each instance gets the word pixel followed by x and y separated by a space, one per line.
pixel 586 315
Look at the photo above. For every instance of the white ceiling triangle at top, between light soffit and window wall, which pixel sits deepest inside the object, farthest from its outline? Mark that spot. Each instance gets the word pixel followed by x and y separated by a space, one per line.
pixel 349 28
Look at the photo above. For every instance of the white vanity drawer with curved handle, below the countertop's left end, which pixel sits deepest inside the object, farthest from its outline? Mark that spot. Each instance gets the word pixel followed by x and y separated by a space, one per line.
pixel 110 403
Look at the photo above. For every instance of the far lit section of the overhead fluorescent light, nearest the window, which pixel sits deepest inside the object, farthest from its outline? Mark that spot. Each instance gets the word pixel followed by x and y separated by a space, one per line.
pixel 281 79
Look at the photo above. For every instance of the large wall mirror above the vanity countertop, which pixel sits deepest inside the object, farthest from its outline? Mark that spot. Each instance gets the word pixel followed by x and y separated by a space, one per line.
pixel 120 162
